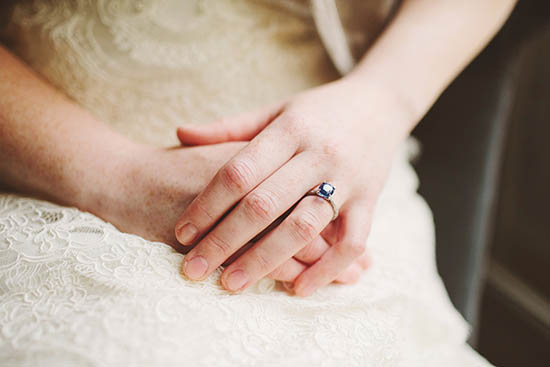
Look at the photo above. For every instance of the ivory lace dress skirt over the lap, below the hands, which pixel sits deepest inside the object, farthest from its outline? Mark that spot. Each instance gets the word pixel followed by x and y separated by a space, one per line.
pixel 74 286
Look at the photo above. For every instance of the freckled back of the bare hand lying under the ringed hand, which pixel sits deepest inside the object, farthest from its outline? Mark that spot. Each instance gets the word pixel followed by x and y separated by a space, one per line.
pixel 156 184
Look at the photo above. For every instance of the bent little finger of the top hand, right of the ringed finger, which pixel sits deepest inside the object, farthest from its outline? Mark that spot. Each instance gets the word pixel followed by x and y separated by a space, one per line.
pixel 355 223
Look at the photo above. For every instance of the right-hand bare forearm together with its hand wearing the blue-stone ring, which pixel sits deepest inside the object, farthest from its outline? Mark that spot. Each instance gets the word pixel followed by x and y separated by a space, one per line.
pixel 345 133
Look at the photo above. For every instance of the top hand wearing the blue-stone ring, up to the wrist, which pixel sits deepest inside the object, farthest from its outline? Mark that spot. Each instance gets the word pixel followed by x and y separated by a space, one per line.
pixel 338 133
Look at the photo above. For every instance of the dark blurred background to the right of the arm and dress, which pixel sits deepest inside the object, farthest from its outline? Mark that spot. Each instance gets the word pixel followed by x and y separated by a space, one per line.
pixel 488 183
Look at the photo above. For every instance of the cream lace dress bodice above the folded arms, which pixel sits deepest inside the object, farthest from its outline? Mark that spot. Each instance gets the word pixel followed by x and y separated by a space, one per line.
pixel 147 66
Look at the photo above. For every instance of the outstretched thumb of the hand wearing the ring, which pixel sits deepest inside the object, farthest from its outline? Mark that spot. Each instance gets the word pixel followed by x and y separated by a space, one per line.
pixel 236 128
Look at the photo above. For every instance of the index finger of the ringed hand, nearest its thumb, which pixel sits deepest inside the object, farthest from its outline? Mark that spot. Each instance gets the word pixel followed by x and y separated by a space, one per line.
pixel 257 161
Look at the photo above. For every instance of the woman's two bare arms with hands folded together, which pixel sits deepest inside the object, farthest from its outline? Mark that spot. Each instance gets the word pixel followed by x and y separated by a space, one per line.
pixel 52 148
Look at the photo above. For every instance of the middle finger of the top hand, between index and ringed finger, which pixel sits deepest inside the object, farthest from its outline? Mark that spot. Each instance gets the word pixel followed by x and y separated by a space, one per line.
pixel 252 215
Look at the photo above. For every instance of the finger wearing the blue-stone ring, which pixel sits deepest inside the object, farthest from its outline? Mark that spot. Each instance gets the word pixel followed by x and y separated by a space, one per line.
pixel 305 222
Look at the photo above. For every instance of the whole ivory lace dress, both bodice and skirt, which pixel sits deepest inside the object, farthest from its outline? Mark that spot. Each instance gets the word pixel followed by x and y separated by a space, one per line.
pixel 74 291
